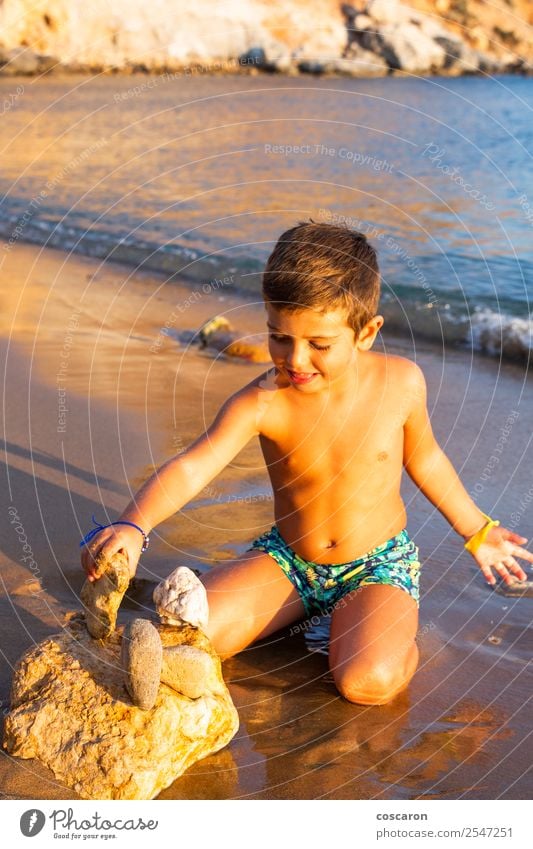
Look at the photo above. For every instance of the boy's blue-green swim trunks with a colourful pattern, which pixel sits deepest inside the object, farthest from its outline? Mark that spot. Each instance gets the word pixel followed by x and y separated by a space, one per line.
pixel 321 585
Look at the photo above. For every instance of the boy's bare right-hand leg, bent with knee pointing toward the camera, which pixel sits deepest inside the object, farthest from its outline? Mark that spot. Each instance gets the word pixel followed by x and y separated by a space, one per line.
pixel 373 654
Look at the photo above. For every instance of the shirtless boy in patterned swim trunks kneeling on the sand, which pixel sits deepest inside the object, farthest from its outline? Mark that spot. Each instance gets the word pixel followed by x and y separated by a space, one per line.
pixel 336 423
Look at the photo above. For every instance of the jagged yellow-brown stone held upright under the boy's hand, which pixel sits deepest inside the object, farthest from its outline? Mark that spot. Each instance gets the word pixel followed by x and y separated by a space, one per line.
pixel 101 598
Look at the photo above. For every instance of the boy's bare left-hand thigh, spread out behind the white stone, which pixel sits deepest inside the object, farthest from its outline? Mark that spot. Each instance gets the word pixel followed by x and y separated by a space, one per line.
pixel 249 598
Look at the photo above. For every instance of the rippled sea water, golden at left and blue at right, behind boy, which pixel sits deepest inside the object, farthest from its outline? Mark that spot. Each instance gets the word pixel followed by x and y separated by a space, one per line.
pixel 196 176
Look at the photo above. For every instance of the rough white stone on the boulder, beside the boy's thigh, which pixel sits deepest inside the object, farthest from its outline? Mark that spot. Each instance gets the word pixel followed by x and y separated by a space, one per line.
pixel 182 598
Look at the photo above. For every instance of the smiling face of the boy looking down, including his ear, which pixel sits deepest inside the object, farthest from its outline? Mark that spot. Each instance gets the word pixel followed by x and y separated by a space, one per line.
pixel 316 350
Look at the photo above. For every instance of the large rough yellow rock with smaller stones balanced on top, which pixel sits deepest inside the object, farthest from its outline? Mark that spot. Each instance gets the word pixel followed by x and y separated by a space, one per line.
pixel 70 709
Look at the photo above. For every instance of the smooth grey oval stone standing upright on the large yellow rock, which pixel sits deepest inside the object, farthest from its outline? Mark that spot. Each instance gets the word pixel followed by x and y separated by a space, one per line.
pixel 141 656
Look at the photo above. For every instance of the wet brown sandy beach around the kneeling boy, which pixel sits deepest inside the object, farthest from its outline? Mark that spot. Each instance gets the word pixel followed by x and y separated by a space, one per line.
pixel 90 409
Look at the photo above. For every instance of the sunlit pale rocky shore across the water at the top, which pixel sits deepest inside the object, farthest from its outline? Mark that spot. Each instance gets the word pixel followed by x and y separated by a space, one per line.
pixel 360 39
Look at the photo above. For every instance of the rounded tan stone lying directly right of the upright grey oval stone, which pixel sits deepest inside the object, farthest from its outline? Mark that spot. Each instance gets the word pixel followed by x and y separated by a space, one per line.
pixel 190 671
